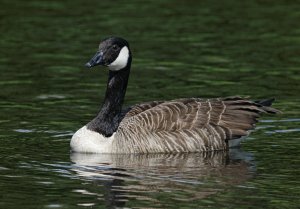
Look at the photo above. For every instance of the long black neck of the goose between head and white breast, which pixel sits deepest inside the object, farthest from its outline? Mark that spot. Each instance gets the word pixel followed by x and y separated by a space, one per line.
pixel 109 116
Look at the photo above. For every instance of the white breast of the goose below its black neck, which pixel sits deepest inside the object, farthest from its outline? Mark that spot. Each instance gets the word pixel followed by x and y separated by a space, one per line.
pixel 85 140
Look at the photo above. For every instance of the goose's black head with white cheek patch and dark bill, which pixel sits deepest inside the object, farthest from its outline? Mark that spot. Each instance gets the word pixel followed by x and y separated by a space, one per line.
pixel 113 52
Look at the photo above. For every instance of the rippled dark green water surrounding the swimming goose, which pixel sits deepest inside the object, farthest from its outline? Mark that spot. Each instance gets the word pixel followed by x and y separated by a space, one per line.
pixel 181 49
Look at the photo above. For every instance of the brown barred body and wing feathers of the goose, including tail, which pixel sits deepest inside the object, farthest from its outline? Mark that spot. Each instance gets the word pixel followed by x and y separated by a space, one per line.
pixel 187 125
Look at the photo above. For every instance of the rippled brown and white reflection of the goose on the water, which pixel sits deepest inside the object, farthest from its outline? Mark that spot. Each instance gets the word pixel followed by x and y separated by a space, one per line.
pixel 183 176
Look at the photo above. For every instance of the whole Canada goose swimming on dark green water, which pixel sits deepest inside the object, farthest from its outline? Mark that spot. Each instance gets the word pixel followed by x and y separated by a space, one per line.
pixel 181 125
